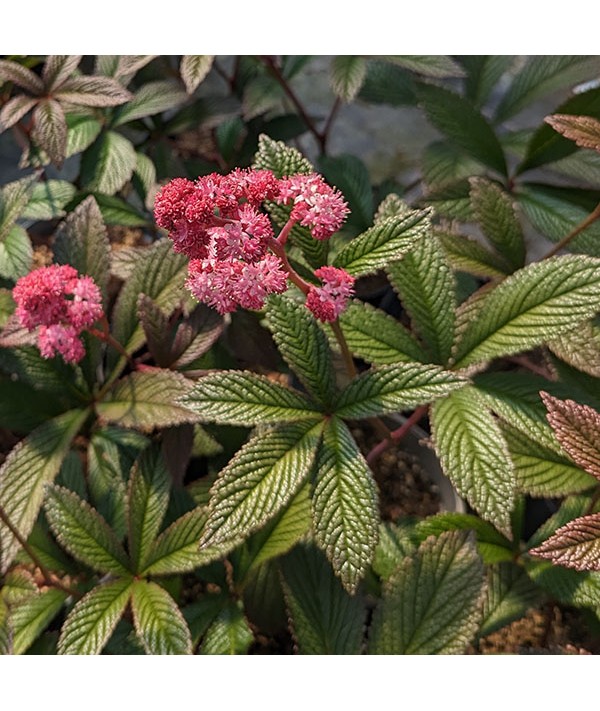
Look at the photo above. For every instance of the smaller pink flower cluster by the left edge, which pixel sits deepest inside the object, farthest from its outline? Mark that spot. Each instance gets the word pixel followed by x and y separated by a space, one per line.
pixel 62 304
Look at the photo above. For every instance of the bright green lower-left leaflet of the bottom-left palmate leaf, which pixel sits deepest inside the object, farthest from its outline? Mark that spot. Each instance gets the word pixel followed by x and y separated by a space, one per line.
pixel 92 621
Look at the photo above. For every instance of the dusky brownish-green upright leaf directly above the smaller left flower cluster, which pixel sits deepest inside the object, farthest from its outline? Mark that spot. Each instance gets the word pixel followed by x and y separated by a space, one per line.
pixel 82 242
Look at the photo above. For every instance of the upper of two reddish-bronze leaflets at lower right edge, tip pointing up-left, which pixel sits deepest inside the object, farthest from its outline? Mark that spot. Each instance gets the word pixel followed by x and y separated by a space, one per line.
pixel 577 429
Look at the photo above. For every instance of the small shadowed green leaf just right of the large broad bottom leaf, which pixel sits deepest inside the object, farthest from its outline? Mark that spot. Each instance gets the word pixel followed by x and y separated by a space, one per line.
pixel 508 596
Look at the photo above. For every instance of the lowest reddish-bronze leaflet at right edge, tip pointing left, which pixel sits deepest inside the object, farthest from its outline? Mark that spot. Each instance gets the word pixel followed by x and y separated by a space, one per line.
pixel 575 545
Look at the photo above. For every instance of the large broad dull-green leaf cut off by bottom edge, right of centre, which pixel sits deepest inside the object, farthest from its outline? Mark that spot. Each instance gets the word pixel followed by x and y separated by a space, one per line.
pixel 430 605
